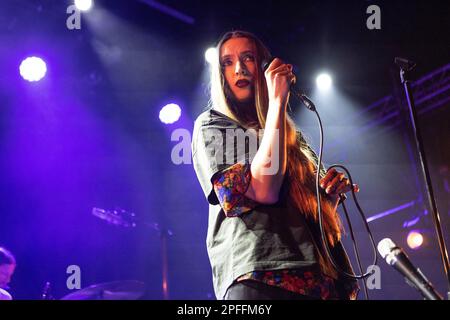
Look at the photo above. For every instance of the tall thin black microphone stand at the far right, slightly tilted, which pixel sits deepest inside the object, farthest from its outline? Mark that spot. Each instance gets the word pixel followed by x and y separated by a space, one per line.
pixel 405 67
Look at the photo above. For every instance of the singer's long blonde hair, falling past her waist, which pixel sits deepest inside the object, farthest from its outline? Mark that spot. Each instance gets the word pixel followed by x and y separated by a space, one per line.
pixel 301 164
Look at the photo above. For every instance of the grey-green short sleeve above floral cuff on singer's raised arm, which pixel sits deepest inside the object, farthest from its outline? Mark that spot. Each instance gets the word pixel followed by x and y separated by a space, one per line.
pixel 216 147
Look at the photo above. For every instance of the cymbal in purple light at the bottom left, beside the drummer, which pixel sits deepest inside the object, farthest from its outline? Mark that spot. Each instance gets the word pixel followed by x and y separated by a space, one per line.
pixel 117 290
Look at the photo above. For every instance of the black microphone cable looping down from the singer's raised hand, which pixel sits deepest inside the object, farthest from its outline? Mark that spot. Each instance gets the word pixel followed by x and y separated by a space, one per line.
pixel 319 208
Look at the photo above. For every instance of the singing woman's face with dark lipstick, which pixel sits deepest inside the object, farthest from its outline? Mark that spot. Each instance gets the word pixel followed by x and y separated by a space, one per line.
pixel 237 59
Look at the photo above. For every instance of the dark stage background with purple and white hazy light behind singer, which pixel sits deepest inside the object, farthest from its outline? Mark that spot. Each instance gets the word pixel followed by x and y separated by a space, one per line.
pixel 88 135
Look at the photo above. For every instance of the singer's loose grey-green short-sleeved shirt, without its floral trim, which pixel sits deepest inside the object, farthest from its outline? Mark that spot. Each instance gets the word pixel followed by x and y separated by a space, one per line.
pixel 269 237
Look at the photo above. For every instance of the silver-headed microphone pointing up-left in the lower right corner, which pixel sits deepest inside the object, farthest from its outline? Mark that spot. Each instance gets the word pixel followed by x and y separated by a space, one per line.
pixel 398 259
